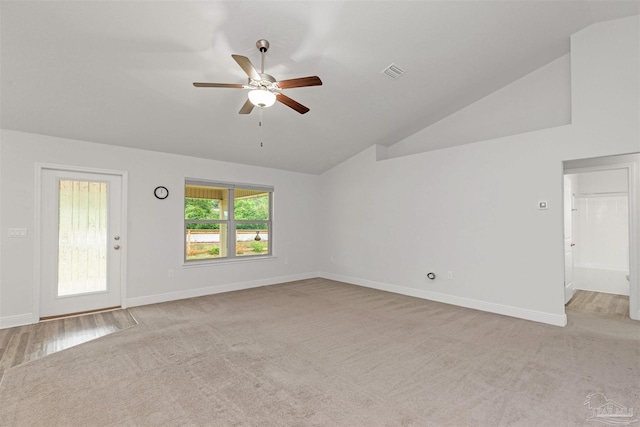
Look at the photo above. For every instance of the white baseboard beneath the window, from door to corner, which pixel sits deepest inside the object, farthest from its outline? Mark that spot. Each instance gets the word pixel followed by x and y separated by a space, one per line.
pixel 227 287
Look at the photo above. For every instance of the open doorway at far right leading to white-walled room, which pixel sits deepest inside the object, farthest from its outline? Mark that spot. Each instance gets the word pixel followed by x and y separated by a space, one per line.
pixel 600 233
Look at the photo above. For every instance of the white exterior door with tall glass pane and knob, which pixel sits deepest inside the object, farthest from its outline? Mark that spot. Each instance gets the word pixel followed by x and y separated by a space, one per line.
pixel 81 245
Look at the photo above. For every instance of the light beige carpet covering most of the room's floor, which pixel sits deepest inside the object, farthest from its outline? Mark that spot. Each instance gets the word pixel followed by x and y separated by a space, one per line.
pixel 323 353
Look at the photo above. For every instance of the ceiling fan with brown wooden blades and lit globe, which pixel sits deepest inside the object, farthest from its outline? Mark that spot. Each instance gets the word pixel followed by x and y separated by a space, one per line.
pixel 265 90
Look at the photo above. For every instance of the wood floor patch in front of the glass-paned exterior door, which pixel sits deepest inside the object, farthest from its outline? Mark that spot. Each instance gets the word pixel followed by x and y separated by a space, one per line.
pixel 26 343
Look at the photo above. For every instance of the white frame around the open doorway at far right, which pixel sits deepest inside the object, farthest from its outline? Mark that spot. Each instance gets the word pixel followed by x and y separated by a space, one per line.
pixel 634 225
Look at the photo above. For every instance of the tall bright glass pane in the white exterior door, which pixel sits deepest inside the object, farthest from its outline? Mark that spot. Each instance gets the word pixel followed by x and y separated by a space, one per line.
pixel 82 237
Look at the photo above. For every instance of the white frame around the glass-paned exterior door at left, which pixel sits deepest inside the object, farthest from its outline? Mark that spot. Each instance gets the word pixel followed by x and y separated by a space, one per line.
pixel 37 241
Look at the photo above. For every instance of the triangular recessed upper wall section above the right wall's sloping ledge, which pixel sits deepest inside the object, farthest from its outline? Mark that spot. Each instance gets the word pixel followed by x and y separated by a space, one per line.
pixel 539 100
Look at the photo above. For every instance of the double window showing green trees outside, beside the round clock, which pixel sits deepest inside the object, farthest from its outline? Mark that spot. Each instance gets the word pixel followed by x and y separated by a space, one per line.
pixel 226 221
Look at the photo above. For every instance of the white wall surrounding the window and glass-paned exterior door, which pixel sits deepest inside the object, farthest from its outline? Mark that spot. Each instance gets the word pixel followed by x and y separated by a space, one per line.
pixel 155 228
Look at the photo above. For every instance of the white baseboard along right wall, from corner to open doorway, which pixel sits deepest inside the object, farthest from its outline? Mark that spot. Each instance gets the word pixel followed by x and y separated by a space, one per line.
pixel 522 313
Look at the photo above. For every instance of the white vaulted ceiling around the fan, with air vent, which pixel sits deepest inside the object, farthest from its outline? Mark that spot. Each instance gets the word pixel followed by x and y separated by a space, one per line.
pixel 121 72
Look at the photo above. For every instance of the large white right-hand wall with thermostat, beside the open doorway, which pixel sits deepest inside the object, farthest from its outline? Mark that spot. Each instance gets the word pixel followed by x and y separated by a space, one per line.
pixel 472 209
